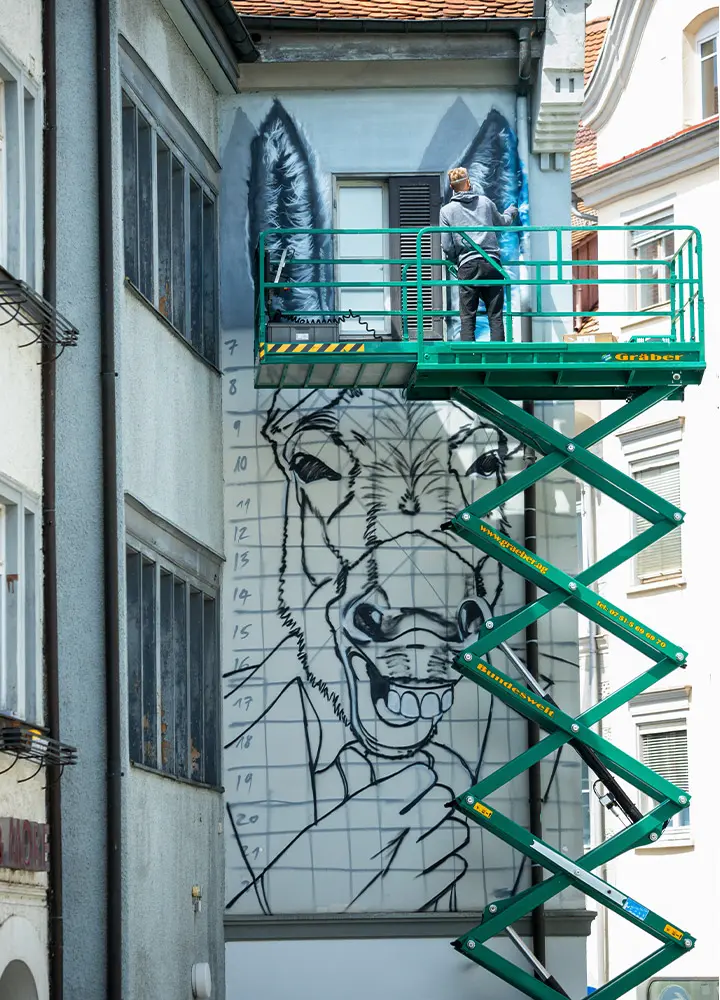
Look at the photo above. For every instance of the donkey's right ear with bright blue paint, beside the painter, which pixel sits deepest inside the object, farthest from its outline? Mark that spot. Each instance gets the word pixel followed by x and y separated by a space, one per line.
pixel 492 161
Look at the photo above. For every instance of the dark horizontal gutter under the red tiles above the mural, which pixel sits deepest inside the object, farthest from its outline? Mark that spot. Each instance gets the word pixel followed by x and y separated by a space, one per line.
pixel 336 25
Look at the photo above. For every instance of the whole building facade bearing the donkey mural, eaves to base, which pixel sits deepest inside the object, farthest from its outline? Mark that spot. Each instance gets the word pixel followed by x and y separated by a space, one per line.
pixel 341 741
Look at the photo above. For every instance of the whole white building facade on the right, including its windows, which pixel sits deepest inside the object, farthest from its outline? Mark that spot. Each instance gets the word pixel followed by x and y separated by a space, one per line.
pixel 650 159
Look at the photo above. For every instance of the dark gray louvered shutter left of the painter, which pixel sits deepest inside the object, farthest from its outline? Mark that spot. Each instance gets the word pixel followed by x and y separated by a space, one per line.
pixel 414 204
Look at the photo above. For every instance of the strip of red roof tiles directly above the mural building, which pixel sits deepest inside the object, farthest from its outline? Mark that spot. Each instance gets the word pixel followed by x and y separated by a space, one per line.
pixel 386 10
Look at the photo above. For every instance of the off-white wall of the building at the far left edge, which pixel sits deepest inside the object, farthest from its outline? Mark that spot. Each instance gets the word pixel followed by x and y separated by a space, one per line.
pixel 23 909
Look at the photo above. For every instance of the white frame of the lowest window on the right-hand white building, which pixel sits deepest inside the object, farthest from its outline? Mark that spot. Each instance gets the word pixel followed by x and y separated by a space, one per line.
pixel 661 712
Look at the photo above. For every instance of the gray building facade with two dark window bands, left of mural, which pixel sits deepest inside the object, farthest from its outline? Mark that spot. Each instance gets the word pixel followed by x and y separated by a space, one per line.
pixel 139 493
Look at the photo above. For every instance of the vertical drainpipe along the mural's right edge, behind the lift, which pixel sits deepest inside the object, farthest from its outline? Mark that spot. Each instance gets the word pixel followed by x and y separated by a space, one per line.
pixel 535 793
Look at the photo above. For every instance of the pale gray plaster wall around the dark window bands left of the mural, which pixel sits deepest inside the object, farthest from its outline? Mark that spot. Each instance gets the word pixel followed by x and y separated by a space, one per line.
pixel 170 457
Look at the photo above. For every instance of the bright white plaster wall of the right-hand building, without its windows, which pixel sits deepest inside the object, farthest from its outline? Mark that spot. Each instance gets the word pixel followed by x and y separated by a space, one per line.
pixel 679 880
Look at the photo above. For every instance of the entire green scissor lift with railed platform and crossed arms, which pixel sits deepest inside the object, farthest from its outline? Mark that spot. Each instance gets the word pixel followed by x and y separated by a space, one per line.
pixel 488 378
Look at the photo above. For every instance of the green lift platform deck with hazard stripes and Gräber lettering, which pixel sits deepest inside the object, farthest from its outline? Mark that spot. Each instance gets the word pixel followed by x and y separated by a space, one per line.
pixel 516 371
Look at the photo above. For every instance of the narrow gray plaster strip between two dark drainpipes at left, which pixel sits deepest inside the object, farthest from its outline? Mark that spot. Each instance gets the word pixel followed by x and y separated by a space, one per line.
pixel 79 510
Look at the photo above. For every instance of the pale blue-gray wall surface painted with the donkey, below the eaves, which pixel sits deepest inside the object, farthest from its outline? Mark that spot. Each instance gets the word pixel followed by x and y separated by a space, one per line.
pixel 317 770
